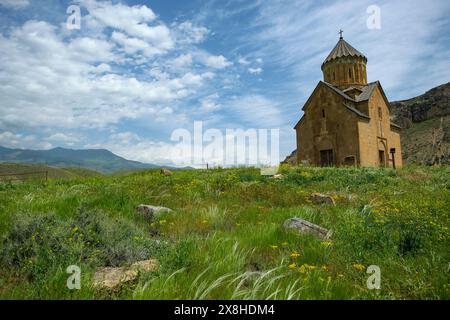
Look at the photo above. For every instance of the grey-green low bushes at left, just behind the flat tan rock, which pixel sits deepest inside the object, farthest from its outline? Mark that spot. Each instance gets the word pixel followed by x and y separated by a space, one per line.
pixel 37 243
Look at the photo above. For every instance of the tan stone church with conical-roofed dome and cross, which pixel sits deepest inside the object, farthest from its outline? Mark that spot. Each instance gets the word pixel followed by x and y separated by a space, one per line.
pixel 346 120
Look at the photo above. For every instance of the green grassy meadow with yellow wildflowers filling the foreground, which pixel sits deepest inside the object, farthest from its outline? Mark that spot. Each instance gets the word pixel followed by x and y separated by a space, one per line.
pixel 225 237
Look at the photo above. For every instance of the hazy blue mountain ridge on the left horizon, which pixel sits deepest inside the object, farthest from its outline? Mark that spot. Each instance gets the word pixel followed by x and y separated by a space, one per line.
pixel 95 159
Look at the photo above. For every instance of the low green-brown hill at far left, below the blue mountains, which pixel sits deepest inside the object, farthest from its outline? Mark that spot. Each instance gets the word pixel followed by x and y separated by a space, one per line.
pixel 16 169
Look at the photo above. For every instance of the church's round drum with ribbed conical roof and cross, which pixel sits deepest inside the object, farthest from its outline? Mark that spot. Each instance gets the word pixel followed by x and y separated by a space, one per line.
pixel 345 66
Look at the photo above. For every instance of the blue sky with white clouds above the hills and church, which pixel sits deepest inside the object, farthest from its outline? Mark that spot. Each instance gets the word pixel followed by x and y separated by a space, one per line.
pixel 137 70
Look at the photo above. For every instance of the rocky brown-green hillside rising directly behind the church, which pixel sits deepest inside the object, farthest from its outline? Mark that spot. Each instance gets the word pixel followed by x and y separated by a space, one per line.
pixel 425 121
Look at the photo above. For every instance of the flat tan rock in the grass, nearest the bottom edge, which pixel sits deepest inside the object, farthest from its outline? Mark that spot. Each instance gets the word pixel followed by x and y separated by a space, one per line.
pixel 112 277
